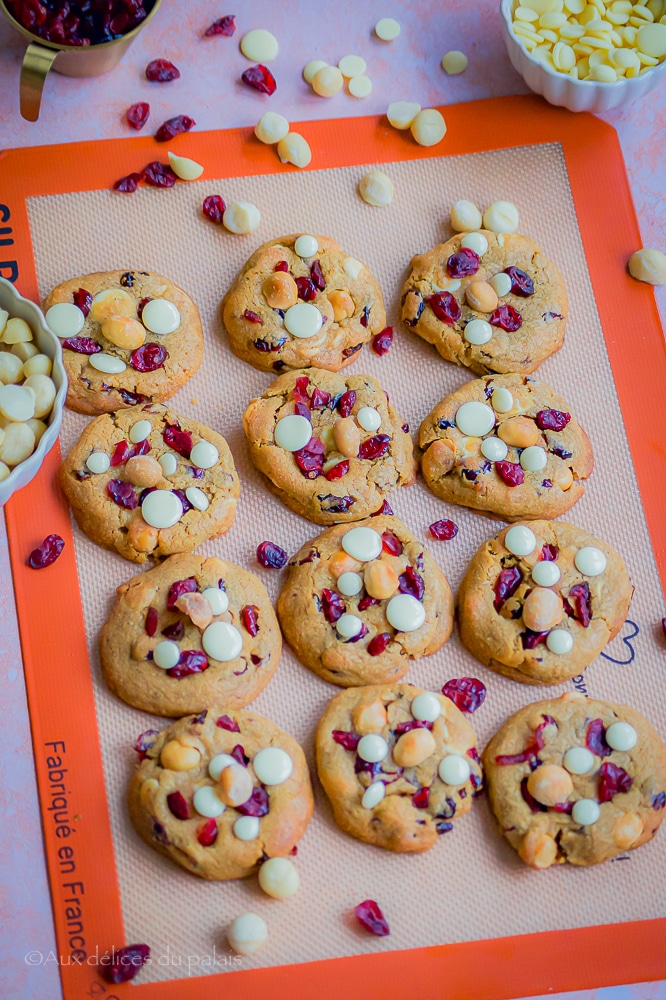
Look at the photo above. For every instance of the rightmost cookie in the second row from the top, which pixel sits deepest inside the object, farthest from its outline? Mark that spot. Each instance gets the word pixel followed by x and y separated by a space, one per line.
pixel 506 445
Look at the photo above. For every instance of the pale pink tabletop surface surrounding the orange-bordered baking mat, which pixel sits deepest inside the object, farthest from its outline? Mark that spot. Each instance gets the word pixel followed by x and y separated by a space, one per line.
pixel 209 90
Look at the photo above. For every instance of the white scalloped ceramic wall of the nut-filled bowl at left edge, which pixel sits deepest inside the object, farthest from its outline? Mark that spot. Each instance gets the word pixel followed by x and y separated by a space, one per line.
pixel 47 343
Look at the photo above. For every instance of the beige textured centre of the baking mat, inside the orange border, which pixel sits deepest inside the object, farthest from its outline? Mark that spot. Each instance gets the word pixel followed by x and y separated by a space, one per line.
pixel 471 885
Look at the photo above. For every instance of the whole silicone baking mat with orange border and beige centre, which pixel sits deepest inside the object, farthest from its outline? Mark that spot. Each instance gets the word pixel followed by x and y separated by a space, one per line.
pixel 467 918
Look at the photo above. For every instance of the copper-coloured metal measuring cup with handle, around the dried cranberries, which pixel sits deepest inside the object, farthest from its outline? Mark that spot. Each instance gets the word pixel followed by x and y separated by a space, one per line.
pixel 69 60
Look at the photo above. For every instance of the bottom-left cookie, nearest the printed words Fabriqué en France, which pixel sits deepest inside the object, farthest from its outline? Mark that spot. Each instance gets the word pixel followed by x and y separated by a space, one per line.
pixel 221 792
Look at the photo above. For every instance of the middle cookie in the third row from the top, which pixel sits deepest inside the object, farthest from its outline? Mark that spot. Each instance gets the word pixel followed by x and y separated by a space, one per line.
pixel 360 603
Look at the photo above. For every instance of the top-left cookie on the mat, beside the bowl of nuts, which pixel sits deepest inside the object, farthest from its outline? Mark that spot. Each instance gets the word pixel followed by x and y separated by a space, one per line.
pixel 127 337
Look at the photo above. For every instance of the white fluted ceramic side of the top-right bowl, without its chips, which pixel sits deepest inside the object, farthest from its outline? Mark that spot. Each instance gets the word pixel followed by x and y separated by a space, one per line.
pixel 562 89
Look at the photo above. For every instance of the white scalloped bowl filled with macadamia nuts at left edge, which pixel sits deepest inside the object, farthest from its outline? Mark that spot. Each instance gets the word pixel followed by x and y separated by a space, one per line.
pixel 33 386
